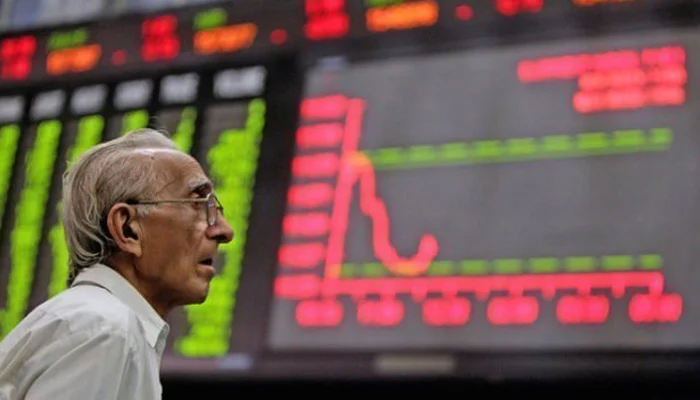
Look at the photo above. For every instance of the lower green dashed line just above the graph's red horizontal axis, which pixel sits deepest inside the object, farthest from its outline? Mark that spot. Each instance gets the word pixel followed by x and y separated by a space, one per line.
pixel 505 266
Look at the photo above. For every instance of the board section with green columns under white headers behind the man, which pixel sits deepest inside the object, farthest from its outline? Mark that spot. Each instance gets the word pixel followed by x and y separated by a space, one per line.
pixel 216 116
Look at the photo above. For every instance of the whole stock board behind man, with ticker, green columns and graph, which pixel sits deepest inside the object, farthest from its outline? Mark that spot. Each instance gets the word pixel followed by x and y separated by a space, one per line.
pixel 535 194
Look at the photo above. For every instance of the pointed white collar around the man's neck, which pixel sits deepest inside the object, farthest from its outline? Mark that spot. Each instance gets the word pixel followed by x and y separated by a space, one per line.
pixel 156 328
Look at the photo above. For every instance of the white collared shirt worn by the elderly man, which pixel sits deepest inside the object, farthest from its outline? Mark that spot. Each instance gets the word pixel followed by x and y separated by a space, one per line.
pixel 99 339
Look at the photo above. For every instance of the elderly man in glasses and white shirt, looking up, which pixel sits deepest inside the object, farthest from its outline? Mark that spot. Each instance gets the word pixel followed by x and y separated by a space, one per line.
pixel 142 226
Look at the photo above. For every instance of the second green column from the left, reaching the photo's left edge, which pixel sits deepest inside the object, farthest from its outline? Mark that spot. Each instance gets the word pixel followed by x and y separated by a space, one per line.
pixel 29 216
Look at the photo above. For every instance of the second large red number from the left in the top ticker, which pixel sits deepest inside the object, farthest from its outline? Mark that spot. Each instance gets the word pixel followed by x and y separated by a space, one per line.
pixel 160 41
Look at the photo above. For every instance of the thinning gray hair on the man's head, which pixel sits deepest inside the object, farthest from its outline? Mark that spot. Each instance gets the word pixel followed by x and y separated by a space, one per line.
pixel 107 174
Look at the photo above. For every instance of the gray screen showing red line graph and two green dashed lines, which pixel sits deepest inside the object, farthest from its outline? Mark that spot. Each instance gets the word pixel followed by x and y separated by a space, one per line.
pixel 511 197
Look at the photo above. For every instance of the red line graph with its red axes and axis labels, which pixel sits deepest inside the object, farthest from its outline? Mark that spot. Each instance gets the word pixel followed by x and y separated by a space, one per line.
pixel 319 235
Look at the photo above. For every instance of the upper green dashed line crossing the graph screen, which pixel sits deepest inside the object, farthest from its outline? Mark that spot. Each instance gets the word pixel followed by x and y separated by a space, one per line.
pixel 523 149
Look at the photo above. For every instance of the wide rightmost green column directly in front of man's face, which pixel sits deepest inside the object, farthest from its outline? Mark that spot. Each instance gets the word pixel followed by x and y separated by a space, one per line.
pixel 233 162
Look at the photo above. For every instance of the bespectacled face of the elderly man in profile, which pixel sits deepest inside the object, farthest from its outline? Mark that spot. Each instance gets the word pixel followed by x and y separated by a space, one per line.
pixel 178 245
